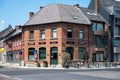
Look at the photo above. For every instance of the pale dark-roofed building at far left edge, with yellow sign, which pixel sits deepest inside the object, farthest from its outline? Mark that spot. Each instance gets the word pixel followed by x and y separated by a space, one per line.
pixel 3 35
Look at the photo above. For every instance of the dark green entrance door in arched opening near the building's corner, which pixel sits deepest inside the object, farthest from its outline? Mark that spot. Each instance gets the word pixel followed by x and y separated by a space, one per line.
pixel 54 56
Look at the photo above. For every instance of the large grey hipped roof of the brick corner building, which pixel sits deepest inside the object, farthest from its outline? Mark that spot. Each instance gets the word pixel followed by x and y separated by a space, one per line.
pixel 58 13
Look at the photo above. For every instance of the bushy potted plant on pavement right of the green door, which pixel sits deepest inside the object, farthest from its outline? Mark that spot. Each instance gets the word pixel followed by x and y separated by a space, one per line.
pixel 65 58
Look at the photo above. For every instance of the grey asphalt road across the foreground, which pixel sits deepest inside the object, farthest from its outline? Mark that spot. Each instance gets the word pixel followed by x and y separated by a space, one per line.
pixel 60 74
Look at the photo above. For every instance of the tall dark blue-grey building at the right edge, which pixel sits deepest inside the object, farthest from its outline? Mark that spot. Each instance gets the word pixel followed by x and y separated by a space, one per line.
pixel 110 10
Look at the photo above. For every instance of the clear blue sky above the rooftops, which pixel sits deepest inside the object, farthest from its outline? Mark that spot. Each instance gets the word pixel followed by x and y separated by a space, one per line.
pixel 16 12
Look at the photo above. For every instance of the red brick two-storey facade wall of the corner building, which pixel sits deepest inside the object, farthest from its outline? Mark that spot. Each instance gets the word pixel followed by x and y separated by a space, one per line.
pixel 88 42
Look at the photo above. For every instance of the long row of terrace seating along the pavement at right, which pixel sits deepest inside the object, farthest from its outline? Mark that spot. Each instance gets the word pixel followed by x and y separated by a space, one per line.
pixel 86 64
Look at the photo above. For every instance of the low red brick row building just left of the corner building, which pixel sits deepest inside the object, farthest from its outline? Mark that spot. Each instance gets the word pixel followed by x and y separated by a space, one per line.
pixel 13 45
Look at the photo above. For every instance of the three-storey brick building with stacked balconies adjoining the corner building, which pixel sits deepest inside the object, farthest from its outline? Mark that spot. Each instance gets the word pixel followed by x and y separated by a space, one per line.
pixel 100 36
